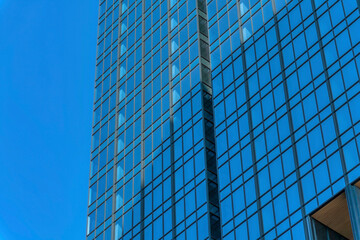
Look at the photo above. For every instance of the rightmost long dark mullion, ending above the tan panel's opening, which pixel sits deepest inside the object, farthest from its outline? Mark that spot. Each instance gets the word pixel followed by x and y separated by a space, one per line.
pixel 333 114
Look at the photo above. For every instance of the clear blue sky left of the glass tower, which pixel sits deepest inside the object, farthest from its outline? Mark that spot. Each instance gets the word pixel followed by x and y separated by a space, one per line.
pixel 47 61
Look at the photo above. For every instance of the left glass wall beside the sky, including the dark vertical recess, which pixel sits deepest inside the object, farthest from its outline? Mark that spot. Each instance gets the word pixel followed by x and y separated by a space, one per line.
pixel 153 167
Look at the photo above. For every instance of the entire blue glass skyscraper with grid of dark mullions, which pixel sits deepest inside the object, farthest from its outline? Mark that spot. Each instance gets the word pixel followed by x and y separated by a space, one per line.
pixel 226 119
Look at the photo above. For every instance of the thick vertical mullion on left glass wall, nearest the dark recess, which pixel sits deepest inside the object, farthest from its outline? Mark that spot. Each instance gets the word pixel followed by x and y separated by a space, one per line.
pixel 172 156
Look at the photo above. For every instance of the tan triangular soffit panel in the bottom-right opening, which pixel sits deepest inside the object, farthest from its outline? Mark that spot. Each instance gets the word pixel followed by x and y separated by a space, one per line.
pixel 335 215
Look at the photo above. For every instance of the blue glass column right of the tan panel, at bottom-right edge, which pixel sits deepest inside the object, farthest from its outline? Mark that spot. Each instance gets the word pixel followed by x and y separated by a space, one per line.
pixel 353 200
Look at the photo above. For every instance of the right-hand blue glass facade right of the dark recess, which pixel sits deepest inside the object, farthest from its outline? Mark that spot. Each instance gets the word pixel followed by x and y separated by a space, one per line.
pixel 287 110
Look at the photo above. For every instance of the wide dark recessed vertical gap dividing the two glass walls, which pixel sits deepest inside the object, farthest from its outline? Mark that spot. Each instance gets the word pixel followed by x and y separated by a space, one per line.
pixel 208 117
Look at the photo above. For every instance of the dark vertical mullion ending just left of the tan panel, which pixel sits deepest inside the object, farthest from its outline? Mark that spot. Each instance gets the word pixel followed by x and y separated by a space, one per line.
pixel 288 110
